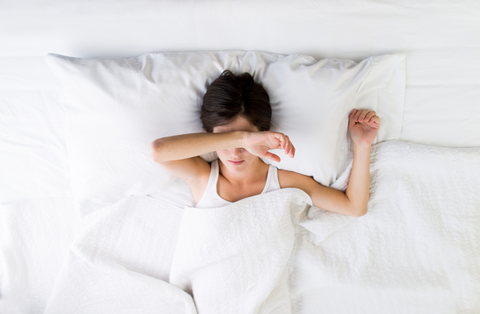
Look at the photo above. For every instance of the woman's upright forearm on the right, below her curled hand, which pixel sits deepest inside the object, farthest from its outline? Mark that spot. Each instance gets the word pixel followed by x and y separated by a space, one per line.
pixel 359 184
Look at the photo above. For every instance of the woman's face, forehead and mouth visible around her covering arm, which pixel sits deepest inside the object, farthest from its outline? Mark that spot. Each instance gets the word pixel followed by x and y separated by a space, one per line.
pixel 236 159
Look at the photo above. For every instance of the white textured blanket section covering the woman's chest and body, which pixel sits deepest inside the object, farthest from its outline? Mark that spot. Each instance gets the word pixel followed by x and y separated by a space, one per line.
pixel 236 258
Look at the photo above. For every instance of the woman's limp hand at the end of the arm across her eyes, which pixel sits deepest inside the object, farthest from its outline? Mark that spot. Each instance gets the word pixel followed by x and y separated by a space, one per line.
pixel 258 144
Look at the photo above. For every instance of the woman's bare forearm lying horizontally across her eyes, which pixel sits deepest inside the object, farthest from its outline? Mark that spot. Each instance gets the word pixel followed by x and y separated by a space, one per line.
pixel 195 144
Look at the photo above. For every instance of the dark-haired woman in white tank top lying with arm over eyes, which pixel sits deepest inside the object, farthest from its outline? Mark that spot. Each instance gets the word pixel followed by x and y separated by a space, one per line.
pixel 236 115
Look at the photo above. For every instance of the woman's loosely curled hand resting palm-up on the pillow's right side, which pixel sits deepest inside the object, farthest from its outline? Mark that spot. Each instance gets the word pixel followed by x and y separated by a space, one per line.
pixel 363 126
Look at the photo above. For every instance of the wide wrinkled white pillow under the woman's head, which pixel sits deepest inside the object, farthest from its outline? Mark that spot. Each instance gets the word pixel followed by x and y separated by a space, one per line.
pixel 115 107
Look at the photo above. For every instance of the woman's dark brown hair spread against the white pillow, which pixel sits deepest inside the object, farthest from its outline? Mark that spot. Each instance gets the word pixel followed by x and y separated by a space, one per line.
pixel 230 96
